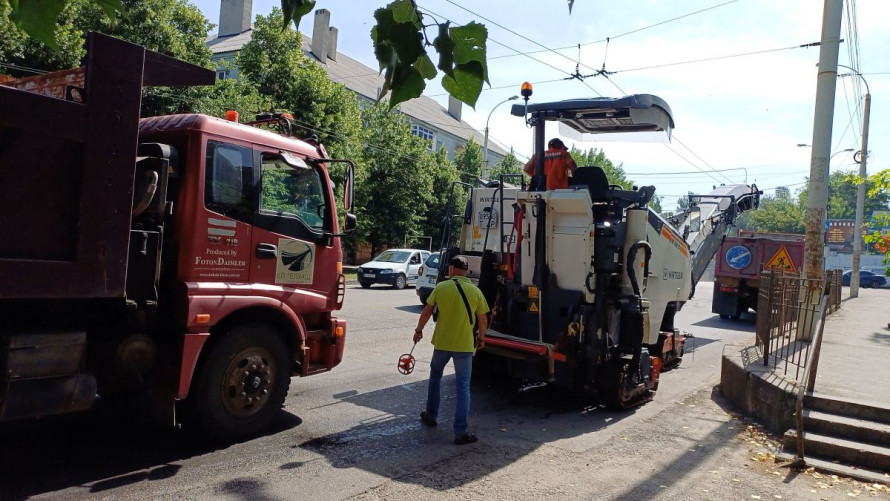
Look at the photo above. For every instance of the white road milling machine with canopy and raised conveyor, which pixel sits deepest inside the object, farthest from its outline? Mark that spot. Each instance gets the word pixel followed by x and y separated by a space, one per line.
pixel 584 283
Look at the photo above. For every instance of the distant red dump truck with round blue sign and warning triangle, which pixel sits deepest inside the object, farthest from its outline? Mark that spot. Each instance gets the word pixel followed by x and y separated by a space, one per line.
pixel 738 265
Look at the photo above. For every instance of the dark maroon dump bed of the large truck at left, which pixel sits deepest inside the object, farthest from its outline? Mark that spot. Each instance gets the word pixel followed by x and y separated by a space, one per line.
pixel 67 170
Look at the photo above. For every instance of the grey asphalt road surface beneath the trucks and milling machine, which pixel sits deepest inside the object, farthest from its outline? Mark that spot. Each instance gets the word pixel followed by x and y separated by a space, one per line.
pixel 354 433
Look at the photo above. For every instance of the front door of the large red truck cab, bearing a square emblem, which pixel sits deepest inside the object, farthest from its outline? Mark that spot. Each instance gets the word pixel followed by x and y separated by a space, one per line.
pixel 292 220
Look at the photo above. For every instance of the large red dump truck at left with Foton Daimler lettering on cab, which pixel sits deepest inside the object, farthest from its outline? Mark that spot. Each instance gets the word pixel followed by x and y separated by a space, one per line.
pixel 190 258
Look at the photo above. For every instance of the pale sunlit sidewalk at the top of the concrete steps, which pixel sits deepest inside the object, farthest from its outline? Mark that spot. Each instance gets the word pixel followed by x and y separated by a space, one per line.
pixel 855 359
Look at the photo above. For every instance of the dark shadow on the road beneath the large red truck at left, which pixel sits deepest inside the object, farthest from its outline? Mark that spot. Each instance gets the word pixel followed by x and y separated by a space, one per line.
pixel 112 445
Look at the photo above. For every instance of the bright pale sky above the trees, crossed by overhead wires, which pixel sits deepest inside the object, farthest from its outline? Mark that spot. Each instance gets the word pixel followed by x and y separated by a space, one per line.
pixel 745 113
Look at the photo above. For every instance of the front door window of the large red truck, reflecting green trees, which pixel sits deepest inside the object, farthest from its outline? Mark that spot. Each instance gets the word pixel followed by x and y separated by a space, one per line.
pixel 293 191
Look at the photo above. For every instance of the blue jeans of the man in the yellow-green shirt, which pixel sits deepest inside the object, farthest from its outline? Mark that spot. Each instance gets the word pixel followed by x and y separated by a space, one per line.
pixel 463 368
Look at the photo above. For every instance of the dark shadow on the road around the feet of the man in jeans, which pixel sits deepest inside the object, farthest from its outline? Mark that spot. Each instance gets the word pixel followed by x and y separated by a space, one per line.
pixel 517 421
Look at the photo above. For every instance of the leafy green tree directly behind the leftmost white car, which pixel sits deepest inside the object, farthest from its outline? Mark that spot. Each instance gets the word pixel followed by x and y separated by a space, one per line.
pixel 392 202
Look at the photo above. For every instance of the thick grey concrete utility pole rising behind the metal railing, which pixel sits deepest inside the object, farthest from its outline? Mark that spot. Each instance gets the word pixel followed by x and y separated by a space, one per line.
pixel 817 199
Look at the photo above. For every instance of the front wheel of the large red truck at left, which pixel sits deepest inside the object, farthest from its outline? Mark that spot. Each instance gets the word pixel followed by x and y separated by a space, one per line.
pixel 243 382
